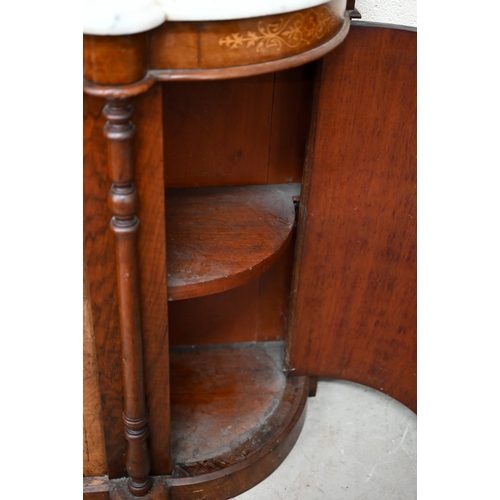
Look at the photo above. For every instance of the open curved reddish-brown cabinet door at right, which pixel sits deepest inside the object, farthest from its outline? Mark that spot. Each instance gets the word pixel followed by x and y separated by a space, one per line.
pixel 355 284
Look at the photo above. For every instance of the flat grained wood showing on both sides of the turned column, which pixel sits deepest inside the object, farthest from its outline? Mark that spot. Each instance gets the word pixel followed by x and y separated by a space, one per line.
pixel 100 257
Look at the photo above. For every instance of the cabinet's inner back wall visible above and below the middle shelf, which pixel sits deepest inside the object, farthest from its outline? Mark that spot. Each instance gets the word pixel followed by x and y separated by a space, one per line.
pixel 205 146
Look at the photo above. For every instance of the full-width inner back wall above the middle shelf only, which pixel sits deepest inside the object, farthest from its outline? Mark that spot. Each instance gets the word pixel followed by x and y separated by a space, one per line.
pixel 237 132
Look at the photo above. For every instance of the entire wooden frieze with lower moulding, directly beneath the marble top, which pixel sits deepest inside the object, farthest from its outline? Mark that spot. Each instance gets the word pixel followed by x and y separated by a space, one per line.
pixel 127 65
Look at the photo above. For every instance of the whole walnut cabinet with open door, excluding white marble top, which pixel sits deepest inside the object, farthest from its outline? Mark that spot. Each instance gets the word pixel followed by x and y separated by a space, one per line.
pixel 234 251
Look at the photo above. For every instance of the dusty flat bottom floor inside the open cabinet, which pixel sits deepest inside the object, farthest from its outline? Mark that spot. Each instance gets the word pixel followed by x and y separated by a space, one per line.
pixel 219 394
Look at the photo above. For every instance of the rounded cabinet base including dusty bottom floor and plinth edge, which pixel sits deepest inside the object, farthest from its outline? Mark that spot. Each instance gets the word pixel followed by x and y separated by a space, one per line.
pixel 226 439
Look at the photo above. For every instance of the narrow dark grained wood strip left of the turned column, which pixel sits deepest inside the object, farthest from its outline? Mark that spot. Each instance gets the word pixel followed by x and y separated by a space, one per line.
pixel 100 258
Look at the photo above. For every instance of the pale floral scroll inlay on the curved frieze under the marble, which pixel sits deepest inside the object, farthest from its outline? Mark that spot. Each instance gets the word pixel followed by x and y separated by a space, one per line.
pixel 300 29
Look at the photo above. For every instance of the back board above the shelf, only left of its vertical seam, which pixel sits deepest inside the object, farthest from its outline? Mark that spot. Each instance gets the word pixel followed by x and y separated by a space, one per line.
pixel 217 133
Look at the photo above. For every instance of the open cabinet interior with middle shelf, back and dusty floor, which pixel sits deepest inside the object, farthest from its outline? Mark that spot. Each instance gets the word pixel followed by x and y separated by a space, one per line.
pixel 233 157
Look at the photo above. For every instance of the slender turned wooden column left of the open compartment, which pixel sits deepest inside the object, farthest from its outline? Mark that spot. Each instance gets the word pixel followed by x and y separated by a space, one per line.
pixel 123 202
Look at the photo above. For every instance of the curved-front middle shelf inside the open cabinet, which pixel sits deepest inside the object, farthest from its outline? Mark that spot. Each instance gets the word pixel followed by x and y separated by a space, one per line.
pixel 221 237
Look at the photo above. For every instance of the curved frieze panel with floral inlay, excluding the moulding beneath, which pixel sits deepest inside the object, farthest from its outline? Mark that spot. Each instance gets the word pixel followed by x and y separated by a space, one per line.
pixel 245 41
